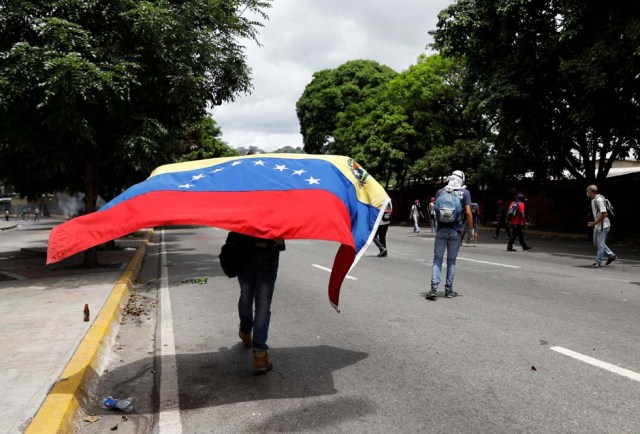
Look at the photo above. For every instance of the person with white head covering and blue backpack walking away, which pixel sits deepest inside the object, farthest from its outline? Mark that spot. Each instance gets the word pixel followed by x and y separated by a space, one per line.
pixel 451 201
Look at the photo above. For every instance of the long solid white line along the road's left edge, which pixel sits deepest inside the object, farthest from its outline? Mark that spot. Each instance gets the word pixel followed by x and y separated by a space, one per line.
pixel 169 417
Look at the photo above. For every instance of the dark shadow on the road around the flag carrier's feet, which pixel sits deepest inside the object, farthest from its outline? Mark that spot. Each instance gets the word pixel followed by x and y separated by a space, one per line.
pixel 224 377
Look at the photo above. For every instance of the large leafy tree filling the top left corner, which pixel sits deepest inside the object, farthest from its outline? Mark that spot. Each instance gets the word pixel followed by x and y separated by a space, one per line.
pixel 93 94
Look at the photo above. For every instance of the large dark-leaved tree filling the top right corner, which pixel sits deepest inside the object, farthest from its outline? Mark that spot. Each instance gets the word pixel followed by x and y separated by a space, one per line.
pixel 557 78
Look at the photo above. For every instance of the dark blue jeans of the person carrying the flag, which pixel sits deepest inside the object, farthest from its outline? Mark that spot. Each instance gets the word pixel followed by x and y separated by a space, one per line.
pixel 257 286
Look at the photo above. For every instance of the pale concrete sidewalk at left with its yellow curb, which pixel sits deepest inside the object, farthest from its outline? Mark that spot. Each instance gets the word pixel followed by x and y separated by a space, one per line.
pixel 50 354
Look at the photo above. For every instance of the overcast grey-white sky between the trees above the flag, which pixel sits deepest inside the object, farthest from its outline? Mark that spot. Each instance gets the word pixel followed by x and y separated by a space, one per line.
pixel 305 36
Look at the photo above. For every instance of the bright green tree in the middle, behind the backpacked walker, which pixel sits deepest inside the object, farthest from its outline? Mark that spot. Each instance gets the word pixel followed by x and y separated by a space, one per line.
pixel 419 111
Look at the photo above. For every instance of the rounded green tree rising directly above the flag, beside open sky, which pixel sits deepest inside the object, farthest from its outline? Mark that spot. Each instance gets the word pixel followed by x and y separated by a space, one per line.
pixel 329 93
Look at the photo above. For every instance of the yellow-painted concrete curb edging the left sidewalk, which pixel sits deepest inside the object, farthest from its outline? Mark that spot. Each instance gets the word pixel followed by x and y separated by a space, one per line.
pixel 61 408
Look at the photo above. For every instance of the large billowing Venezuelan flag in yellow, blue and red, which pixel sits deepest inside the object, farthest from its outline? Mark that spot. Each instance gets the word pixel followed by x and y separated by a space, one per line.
pixel 289 196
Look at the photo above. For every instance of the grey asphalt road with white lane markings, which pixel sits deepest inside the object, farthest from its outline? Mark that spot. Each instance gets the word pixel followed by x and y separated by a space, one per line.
pixel 537 342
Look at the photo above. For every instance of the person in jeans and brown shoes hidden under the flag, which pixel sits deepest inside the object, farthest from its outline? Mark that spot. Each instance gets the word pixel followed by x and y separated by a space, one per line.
pixel 257 282
